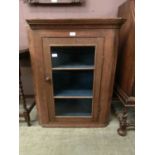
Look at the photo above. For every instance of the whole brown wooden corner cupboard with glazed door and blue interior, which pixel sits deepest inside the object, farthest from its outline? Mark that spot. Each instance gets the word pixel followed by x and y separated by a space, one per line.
pixel 73 63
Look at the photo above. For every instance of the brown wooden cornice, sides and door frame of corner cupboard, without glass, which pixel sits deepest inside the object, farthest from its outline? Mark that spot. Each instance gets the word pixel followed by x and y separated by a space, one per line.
pixel 100 33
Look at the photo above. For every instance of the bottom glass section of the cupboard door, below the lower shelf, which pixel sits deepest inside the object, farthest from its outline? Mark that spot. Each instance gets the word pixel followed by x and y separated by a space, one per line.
pixel 73 107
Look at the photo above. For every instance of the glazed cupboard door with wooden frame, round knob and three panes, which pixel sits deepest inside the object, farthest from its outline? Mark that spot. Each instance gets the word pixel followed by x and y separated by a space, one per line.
pixel 72 78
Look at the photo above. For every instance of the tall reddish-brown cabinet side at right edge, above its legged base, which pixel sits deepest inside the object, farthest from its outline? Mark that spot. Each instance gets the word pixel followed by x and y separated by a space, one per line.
pixel 126 58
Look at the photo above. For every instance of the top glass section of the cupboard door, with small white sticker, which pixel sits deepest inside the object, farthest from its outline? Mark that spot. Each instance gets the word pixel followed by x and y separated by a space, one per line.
pixel 72 56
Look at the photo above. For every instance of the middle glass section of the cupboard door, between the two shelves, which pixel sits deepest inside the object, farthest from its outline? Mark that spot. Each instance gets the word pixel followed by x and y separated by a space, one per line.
pixel 73 83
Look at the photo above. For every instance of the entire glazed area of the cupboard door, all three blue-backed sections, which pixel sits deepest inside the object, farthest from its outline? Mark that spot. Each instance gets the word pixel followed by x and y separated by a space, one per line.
pixel 77 82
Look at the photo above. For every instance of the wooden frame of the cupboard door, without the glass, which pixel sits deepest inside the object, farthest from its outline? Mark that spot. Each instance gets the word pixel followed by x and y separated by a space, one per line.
pixel 99 44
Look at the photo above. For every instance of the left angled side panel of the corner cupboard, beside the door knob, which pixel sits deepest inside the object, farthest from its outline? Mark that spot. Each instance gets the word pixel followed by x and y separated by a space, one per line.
pixel 35 45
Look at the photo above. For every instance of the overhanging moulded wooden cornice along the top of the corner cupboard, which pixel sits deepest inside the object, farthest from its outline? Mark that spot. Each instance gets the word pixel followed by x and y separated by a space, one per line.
pixel 75 23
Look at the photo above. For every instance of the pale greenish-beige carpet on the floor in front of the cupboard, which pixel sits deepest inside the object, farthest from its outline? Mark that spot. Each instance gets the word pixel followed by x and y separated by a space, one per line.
pixel 36 140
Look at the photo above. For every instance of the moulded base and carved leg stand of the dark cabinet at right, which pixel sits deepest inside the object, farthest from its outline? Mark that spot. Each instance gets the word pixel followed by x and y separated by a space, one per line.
pixel 121 109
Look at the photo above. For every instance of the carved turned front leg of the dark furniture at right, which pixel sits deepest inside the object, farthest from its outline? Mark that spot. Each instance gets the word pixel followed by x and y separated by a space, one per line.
pixel 123 123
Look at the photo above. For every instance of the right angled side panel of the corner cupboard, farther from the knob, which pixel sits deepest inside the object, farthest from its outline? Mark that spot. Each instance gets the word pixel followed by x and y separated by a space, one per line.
pixel 108 74
